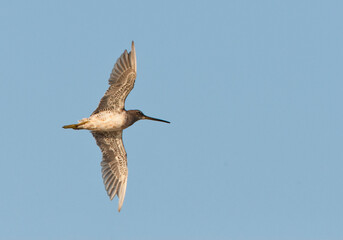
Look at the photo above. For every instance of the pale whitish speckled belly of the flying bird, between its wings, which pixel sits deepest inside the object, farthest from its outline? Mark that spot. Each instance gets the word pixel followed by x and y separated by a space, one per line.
pixel 106 121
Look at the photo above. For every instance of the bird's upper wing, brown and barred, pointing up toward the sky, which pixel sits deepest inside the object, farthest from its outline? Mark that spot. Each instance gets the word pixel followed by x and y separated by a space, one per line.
pixel 121 82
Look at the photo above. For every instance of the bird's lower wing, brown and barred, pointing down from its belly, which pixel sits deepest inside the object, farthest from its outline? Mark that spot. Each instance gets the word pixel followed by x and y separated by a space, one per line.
pixel 114 163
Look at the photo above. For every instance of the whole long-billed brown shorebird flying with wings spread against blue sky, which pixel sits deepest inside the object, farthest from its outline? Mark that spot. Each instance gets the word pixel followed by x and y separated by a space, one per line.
pixel 108 121
